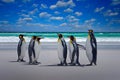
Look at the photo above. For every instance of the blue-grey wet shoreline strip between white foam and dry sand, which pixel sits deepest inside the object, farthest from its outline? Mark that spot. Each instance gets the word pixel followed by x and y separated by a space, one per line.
pixel 53 45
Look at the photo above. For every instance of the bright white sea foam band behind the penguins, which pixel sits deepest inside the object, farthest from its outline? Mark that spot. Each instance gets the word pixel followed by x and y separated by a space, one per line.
pixel 79 39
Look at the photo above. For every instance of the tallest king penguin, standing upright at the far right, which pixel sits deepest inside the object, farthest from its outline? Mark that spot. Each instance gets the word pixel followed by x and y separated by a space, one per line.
pixel 91 47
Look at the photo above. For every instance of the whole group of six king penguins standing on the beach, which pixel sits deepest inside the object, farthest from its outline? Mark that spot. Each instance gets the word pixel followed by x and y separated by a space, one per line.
pixel 34 49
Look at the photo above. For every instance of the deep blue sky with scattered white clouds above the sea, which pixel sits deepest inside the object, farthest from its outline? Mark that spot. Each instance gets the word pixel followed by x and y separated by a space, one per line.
pixel 59 15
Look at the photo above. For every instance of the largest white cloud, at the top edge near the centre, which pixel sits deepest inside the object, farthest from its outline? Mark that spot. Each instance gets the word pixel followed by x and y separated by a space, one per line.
pixel 69 3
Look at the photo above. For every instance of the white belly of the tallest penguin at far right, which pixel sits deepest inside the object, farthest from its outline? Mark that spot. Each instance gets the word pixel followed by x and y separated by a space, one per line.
pixel 89 50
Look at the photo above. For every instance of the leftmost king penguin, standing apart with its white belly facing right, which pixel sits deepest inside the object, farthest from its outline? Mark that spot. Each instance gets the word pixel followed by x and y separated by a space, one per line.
pixel 21 48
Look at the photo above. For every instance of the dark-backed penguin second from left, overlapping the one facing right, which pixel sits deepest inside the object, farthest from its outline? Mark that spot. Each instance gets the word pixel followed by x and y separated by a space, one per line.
pixel 31 50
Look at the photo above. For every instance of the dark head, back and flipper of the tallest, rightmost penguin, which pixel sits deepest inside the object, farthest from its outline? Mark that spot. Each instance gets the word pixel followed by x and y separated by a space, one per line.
pixel 94 47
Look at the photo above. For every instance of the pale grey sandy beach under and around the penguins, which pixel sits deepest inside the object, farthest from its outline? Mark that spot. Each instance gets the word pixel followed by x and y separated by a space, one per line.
pixel 108 65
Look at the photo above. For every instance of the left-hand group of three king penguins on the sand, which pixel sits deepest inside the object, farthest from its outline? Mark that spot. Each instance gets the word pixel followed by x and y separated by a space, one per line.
pixel 34 49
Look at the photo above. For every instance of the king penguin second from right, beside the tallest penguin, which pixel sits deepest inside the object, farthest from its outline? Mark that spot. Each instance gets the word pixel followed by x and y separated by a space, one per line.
pixel 75 52
